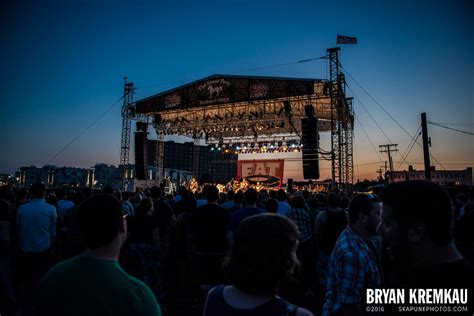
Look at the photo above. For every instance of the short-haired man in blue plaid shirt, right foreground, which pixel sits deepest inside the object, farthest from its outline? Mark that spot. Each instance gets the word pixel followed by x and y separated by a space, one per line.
pixel 354 265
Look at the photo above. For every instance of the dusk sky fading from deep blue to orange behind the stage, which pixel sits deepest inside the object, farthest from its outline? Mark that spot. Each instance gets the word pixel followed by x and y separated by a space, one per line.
pixel 62 64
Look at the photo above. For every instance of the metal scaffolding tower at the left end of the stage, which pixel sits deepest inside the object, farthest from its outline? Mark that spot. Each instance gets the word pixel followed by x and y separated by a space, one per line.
pixel 127 114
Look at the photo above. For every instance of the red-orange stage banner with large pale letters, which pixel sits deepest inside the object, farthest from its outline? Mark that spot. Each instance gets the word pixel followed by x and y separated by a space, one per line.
pixel 251 168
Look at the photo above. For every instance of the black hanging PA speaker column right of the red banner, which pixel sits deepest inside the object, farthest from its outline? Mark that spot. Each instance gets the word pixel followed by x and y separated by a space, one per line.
pixel 309 138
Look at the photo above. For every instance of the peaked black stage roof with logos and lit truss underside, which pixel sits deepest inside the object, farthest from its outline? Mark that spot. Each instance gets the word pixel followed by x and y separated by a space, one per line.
pixel 223 106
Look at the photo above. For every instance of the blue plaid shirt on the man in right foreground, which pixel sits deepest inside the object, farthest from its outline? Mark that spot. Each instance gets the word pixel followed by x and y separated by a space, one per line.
pixel 354 267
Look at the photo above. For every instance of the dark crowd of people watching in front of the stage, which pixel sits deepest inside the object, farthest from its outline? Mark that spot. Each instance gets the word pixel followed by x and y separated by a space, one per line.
pixel 240 253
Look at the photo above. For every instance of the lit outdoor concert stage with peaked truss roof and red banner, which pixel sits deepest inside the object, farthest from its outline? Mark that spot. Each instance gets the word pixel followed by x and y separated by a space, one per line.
pixel 271 123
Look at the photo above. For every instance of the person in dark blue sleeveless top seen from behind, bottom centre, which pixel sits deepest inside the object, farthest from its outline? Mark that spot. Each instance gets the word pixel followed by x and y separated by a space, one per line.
pixel 263 254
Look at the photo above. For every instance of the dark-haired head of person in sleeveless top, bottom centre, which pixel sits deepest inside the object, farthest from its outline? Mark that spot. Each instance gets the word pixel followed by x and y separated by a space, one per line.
pixel 271 241
